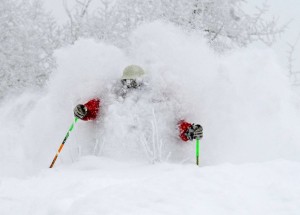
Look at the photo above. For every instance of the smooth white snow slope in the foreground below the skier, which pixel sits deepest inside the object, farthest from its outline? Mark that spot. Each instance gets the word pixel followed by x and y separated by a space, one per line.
pixel 102 186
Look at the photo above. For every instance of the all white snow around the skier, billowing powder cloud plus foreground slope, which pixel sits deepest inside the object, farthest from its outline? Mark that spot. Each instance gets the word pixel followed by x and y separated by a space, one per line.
pixel 131 161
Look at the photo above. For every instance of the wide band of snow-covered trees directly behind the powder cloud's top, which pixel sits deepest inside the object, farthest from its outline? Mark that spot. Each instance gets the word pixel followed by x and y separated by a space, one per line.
pixel 224 23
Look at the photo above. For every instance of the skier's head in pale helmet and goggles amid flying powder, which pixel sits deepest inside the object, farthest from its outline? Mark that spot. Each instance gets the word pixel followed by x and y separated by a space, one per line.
pixel 132 76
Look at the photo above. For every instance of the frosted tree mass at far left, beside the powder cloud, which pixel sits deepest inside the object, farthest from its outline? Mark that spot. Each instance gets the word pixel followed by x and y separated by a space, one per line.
pixel 28 38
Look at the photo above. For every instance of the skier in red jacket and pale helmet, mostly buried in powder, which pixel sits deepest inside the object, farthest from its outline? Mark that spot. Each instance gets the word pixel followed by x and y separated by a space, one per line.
pixel 132 79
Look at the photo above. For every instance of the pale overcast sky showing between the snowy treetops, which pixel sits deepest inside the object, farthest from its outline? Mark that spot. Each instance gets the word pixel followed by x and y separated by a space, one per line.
pixel 285 10
